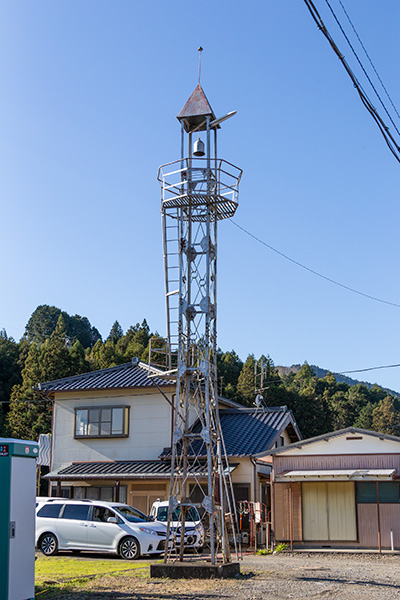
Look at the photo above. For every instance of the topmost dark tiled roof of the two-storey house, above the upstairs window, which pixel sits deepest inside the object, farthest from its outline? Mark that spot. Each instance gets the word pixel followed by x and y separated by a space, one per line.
pixel 129 375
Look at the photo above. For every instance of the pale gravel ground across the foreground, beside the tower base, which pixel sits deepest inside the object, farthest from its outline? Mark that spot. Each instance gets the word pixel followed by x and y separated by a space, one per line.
pixel 280 577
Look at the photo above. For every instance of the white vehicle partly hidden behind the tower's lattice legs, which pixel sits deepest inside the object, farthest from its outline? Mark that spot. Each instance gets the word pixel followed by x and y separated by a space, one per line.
pixel 194 530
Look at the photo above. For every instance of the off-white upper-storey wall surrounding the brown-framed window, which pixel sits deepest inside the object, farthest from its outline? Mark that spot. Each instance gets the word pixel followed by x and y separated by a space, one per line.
pixel 149 427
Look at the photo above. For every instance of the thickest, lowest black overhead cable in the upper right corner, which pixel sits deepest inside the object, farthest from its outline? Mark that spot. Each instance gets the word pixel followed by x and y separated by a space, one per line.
pixel 384 129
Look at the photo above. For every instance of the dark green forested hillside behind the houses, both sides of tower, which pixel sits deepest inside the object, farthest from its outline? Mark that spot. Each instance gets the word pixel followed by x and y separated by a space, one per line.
pixel 57 345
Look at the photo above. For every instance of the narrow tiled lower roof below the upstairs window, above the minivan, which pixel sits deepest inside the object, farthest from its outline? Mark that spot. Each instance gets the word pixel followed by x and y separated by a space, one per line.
pixel 120 469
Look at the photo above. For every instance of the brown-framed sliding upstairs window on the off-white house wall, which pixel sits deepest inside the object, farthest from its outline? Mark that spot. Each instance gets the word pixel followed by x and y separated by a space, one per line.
pixel 108 421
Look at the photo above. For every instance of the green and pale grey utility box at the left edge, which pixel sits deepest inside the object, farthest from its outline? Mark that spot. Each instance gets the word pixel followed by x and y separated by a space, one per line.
pixel 17 518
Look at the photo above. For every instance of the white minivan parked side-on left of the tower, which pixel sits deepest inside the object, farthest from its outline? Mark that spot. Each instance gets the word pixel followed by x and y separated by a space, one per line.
pixel 96 526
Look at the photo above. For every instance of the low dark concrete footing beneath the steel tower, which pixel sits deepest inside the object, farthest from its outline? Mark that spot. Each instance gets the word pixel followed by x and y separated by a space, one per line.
pixel 194 570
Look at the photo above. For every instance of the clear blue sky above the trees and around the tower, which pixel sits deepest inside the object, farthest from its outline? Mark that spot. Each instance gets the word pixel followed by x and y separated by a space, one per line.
pixel 90 91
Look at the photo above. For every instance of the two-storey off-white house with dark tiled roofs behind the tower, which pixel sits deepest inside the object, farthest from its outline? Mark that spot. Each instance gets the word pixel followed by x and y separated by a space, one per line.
pixel 112 433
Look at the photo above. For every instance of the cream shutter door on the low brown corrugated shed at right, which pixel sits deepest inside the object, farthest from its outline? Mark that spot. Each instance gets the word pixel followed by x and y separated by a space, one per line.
pixel 329 511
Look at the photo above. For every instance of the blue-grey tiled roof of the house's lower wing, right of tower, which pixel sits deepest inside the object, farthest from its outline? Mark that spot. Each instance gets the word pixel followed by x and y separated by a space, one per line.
pixel 246 431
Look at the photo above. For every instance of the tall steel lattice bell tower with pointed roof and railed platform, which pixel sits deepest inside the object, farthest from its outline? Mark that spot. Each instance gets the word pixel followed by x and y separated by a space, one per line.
pixel 197 191
